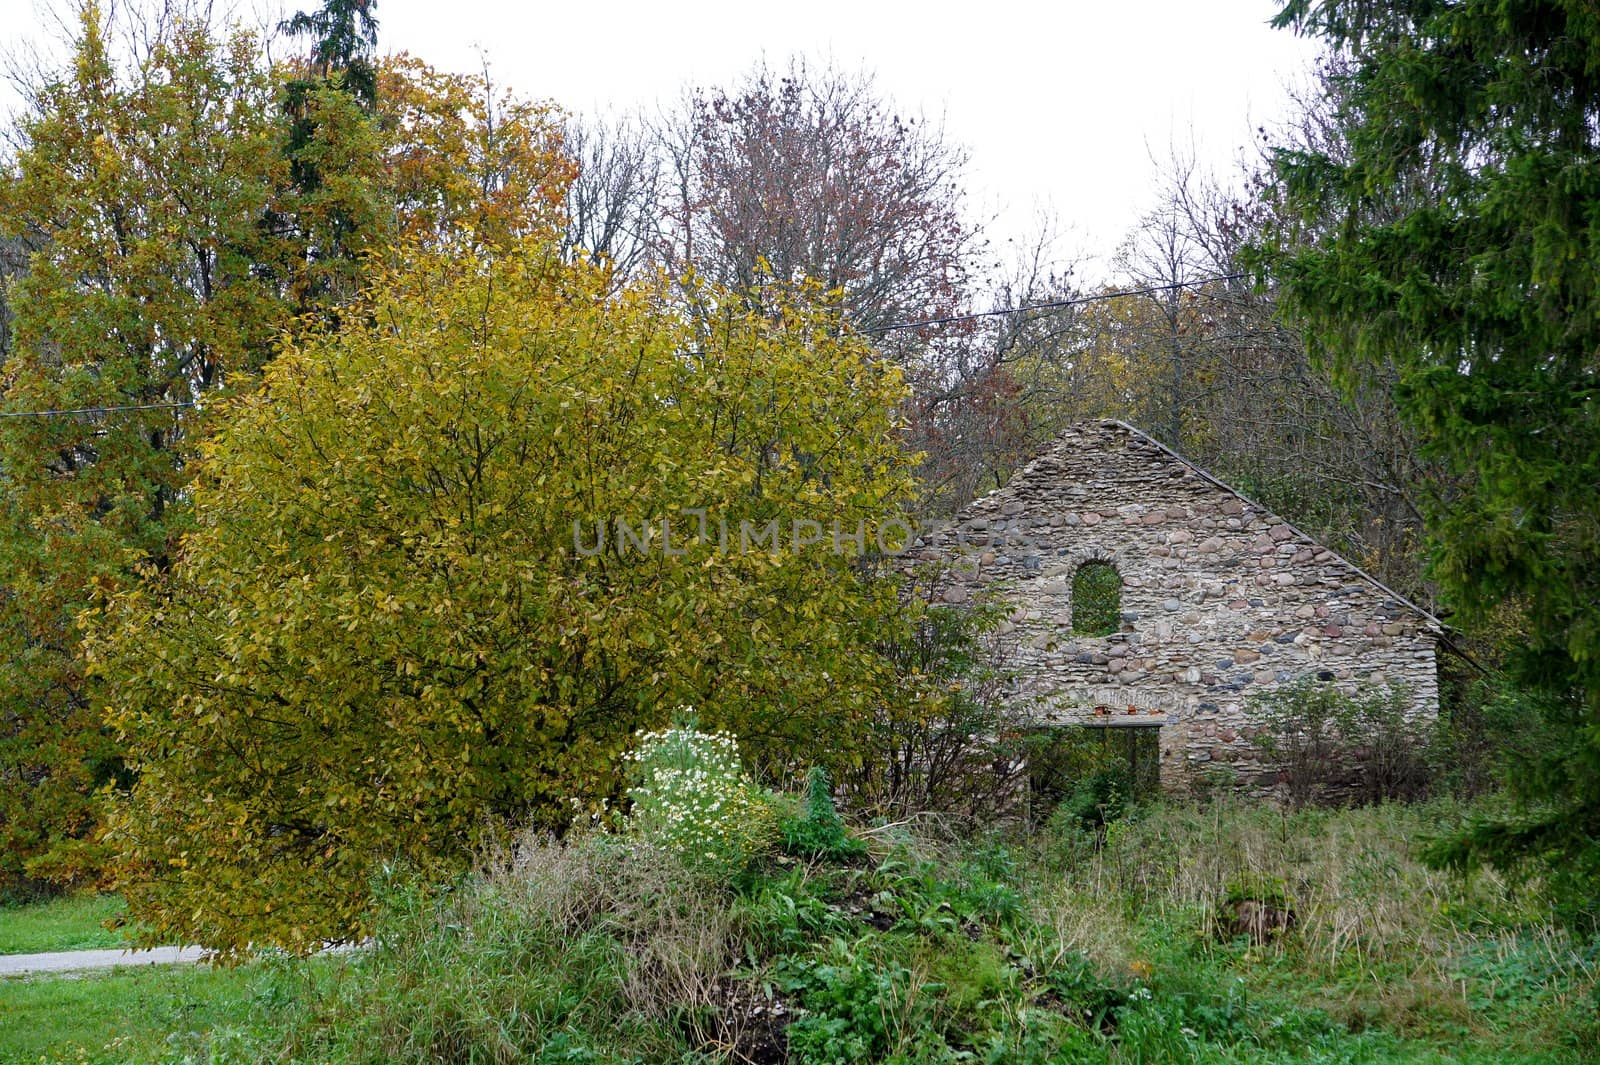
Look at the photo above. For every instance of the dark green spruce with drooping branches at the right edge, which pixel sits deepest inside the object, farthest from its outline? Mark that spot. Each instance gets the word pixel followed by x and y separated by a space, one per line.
pixel 1455 229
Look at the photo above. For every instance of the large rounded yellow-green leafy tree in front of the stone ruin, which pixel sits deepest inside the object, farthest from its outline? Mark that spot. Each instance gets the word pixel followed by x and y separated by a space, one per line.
pixel 458 549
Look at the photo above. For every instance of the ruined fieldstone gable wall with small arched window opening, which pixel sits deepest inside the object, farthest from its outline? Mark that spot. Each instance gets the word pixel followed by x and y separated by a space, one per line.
pixel 1222 600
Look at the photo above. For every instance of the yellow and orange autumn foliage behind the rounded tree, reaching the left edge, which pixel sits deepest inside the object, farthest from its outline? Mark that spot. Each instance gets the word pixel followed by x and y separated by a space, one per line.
pixel 170 247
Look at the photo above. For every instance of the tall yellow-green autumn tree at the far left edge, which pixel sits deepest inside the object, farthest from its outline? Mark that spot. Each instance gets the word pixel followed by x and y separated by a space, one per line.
pixel 143 197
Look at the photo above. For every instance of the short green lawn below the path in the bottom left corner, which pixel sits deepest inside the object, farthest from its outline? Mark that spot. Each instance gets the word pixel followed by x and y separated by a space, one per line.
pixel 118 1016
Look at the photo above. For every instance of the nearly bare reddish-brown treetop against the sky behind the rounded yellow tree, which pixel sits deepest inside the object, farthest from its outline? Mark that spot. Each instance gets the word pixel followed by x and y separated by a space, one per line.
pixel 812 175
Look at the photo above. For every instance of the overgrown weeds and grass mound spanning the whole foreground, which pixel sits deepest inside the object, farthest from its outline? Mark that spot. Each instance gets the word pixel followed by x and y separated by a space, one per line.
pixel 926 949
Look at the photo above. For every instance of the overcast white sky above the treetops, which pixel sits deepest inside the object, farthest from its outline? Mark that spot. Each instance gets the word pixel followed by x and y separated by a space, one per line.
pixel 1062 105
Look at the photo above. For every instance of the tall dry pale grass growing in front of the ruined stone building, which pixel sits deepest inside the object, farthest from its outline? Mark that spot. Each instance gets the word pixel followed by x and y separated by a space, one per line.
pixel 1374 927
